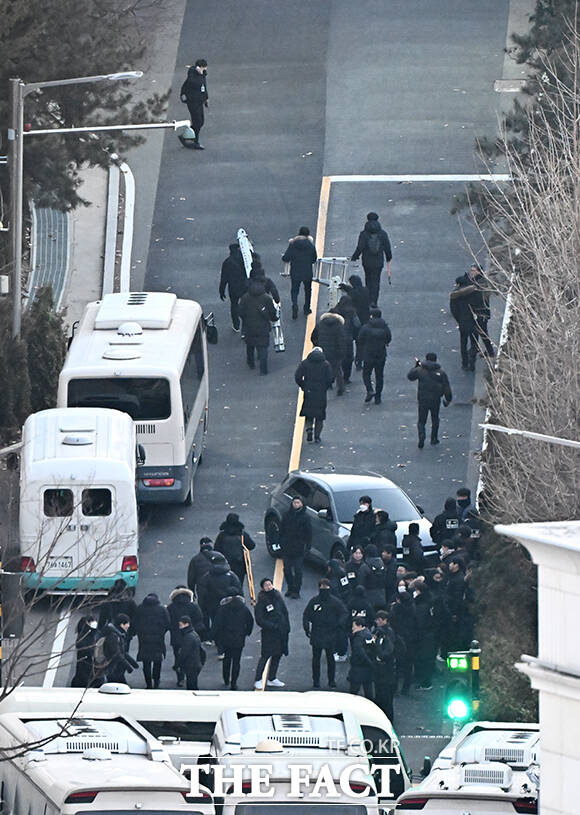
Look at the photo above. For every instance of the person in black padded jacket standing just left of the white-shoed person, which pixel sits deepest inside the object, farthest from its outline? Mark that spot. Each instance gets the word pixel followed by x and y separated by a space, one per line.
pixel 233 622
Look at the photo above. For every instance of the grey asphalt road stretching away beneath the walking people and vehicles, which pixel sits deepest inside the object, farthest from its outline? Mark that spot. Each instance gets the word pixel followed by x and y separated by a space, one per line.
pixel 299 90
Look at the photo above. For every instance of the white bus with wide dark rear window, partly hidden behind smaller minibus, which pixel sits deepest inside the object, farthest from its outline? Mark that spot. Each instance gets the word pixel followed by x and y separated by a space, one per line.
pixel 146 354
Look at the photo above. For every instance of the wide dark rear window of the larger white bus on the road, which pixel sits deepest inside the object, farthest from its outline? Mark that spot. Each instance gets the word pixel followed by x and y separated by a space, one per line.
pixel 143 398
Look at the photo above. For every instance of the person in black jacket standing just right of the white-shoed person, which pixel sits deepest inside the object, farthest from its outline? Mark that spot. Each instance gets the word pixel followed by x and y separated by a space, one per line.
pixel 323 619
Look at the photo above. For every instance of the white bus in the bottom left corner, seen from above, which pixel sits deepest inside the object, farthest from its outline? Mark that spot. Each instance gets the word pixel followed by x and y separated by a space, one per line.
pixel 63 766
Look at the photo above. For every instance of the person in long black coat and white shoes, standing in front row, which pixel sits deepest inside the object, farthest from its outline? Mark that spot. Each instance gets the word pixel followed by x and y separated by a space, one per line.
pixel 272 617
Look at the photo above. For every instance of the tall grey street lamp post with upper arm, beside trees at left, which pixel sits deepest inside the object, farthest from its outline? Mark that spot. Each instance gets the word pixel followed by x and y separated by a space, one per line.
pixel 18 91
